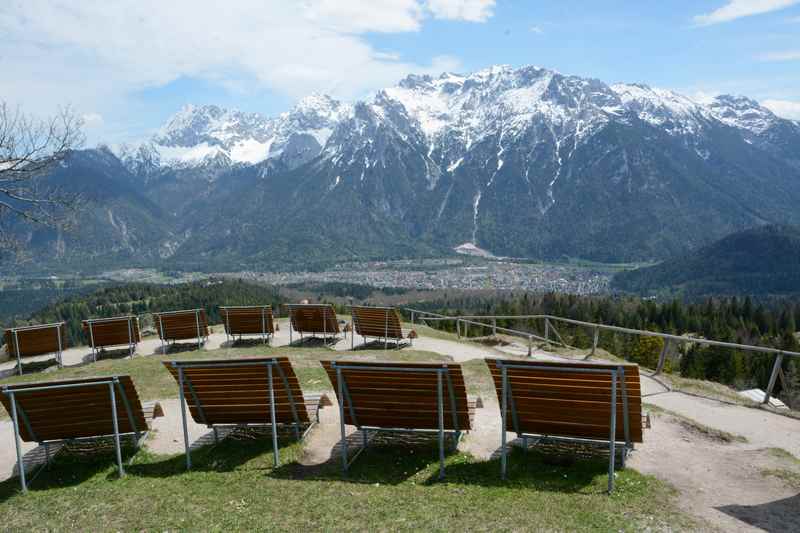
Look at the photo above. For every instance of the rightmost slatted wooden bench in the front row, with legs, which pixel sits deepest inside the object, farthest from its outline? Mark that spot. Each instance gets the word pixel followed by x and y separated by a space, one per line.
pixel 587 403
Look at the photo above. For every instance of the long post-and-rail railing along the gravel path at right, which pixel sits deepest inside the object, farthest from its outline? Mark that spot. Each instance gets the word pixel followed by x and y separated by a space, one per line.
pixel 669 339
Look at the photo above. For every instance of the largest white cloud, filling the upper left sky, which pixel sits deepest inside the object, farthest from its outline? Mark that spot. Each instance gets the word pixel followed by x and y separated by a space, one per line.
pixel 96 54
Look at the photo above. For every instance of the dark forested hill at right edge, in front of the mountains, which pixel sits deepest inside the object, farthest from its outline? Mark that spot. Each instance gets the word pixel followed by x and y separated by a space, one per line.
pixel 763 260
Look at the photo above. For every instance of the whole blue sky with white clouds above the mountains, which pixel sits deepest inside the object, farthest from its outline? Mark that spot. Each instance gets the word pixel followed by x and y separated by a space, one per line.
pixel 128 65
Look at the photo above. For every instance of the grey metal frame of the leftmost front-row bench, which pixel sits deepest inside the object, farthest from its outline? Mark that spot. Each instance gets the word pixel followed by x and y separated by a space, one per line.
pixel 17 412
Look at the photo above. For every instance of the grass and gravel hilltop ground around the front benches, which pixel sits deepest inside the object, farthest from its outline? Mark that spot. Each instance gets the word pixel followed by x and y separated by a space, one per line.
pixel 733 467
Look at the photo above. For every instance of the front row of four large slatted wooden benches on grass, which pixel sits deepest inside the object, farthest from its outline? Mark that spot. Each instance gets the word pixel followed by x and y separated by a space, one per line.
pixel 598 404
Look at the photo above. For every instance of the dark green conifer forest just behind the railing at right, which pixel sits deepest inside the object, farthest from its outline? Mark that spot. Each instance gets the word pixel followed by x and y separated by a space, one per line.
pixel 741 320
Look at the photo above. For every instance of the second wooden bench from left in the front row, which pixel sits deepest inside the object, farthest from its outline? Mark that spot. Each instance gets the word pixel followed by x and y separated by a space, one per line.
pixel 243 392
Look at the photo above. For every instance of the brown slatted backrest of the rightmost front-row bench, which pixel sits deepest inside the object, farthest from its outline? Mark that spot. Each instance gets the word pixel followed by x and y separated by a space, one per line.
pixel 566 400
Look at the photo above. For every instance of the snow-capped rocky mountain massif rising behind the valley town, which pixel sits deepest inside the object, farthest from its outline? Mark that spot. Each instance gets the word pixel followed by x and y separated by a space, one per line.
pixel 519 162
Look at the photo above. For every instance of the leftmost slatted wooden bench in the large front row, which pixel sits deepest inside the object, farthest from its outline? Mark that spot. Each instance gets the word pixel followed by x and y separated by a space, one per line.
pixel 72 410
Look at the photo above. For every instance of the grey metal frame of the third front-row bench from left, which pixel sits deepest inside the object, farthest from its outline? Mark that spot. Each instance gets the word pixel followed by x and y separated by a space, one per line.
pixel 342 393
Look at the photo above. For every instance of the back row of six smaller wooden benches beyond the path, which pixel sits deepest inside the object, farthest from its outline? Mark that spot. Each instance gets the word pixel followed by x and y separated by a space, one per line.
pixel 376 322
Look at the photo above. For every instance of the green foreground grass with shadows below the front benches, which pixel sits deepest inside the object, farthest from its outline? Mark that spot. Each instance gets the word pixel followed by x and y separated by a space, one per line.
pixel 234 486
